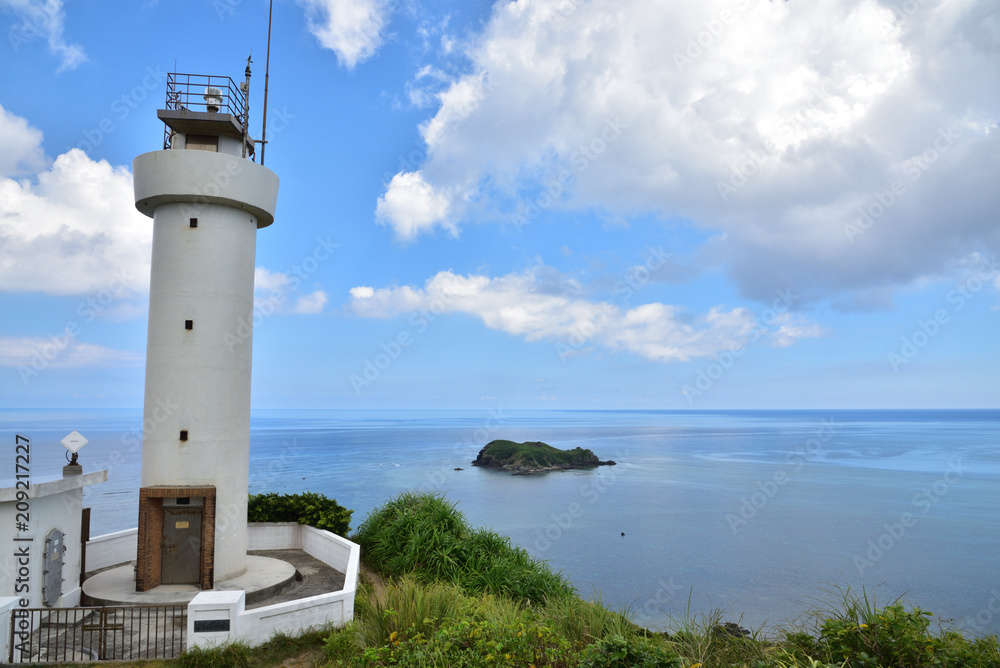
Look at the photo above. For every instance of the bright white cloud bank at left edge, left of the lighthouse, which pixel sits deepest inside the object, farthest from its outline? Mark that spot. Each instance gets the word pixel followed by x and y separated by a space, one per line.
pixel 73 227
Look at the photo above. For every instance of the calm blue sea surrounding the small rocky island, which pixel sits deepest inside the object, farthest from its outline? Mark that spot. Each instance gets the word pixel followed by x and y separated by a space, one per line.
pixel 753 512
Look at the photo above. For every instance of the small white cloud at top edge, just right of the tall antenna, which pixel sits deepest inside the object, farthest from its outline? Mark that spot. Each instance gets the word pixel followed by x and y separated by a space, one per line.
pixel 353 29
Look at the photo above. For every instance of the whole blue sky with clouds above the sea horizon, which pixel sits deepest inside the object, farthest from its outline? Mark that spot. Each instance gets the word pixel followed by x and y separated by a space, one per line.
pixel 593 204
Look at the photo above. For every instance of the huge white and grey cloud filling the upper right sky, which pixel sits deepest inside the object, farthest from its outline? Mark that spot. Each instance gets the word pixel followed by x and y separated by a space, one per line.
pixel 777 128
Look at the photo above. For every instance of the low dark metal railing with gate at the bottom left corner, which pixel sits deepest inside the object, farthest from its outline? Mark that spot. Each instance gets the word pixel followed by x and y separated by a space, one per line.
pixel 66 635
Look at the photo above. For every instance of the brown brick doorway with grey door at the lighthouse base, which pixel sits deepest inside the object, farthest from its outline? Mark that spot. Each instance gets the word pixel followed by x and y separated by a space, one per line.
pixel 176 538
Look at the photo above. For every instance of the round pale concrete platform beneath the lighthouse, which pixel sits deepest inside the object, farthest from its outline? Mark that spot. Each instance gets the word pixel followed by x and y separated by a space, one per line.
pixel 264 578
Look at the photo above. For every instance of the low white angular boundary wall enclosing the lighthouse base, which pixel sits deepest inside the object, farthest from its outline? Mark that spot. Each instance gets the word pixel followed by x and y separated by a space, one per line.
pixel 214 610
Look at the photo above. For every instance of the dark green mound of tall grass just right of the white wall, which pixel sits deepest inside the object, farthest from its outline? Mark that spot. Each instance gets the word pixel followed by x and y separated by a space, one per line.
pixel 425 535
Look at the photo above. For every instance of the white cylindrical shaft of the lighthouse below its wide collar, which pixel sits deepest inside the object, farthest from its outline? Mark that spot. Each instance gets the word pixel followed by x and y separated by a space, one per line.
pixel 199 380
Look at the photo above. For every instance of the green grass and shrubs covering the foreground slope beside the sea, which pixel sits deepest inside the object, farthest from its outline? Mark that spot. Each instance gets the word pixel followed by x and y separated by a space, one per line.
pixel 439 593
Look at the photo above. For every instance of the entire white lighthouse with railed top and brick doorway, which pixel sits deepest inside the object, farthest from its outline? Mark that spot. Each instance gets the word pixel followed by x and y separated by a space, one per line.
pixel 207 198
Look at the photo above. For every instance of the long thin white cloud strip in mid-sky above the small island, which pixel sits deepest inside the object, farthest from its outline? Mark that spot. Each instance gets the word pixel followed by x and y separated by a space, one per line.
pixel 526 305
